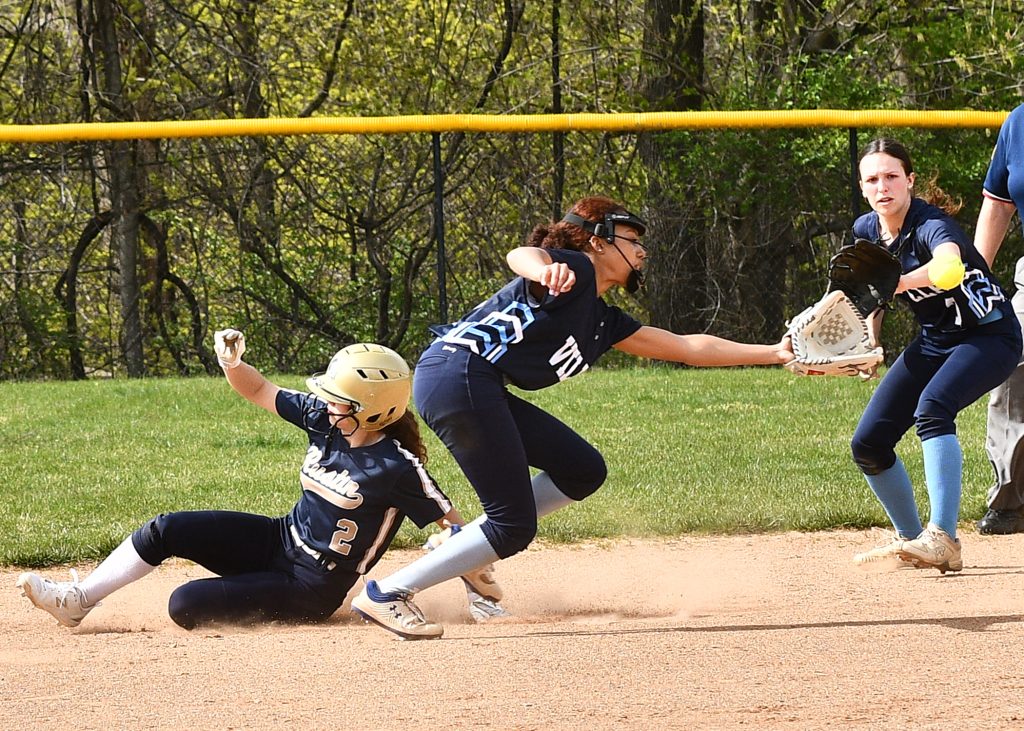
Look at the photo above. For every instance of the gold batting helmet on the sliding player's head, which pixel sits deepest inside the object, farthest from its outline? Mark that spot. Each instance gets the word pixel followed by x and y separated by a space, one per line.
pixel 371 378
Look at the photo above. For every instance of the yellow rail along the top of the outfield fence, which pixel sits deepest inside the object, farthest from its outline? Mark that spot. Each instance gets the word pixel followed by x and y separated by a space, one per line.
pixel 642 122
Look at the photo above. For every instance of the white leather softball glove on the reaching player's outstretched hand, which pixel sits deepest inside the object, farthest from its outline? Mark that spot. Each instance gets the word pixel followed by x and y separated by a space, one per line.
pixel 832 338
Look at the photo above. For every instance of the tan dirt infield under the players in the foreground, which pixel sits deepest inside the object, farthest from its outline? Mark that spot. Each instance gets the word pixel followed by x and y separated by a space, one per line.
pixel 766 632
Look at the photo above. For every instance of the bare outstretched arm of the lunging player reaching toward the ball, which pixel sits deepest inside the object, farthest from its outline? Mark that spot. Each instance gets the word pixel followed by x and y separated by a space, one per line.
pixel 704 351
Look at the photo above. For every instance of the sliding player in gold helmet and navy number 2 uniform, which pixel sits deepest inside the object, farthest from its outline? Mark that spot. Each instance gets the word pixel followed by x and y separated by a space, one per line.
pixel 363 474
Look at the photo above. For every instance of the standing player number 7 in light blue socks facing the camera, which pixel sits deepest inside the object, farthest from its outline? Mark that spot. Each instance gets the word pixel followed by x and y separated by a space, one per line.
pixel 970 342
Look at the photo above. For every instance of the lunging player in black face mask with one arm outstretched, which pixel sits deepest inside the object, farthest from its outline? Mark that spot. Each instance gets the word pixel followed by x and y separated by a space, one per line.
pixel 547 325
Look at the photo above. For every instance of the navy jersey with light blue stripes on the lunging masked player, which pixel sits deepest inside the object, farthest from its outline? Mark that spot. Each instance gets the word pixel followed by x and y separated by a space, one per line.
pixel 537 345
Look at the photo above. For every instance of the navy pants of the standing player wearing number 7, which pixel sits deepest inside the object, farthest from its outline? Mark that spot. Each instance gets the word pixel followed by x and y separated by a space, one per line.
pixel 931 382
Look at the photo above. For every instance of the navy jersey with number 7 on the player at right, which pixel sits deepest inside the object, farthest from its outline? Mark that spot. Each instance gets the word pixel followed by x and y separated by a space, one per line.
pixel 925 228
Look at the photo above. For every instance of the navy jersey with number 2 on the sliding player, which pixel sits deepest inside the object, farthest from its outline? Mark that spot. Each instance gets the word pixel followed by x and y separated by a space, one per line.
pixel 355 499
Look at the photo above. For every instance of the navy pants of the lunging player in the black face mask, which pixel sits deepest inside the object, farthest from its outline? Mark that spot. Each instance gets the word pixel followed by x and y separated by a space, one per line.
pixel 496 438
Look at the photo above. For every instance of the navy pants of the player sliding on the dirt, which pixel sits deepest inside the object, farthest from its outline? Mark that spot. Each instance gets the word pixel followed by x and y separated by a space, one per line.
pixel 263 576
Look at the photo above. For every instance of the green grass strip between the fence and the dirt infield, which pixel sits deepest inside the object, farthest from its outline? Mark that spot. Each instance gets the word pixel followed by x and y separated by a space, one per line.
pixel 689 451
